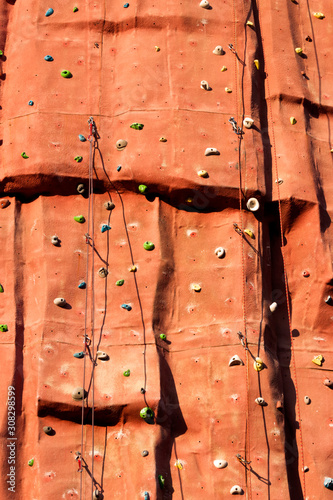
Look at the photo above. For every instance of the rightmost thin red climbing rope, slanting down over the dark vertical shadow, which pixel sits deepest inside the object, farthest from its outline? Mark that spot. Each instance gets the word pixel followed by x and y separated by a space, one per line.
pixel 293 361
